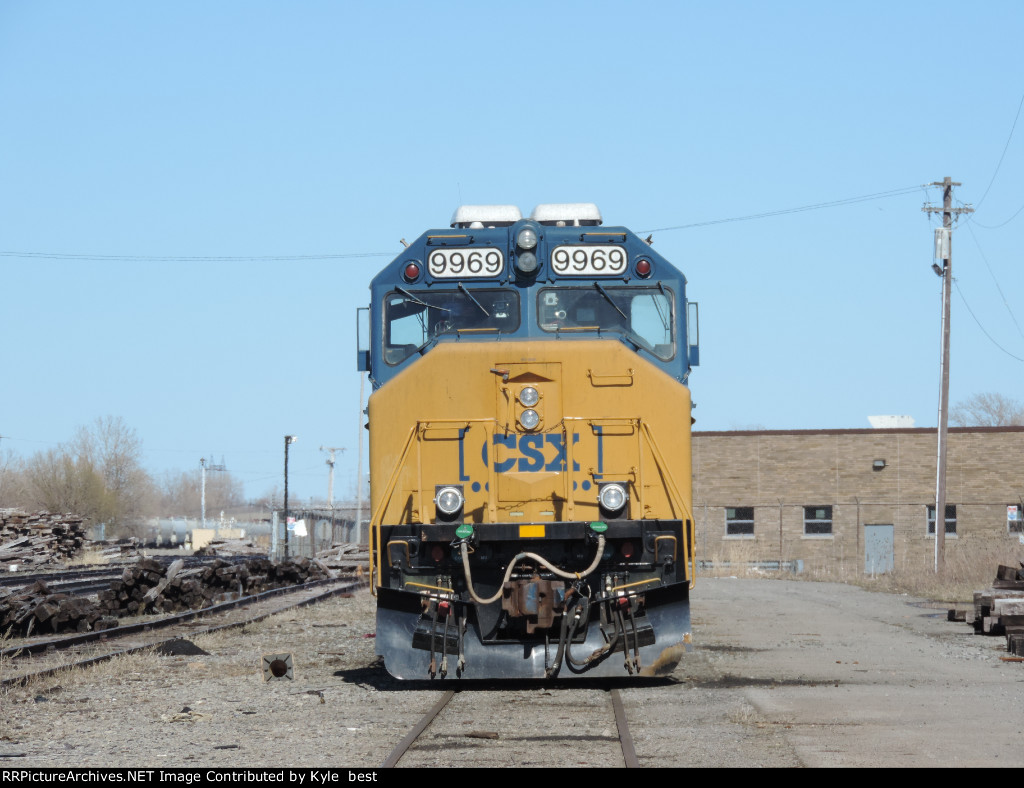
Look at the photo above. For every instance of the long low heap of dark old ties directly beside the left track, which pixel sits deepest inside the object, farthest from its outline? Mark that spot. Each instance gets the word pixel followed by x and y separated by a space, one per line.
pixel 149 587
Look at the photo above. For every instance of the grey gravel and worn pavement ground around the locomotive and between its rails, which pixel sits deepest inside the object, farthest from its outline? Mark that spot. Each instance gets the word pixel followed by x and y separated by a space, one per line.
pixel 784 674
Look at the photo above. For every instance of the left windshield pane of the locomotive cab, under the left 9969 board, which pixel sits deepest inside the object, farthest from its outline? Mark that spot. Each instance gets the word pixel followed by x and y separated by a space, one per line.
pixel 415 319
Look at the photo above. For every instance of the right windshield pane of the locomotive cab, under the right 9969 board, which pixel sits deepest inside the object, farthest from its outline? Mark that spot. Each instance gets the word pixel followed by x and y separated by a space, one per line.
pixel 643 316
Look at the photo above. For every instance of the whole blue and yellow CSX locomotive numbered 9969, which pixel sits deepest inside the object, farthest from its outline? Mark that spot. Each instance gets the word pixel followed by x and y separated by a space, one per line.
pixel 530 450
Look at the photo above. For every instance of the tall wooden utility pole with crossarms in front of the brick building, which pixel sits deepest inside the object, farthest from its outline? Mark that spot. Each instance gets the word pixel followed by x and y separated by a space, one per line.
pixel 944 252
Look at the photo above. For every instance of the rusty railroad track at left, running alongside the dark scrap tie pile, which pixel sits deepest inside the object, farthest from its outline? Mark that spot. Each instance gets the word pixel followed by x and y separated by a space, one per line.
pixel 37 658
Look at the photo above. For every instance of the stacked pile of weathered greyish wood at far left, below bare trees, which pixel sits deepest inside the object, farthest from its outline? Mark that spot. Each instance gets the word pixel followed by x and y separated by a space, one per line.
pixel 41 538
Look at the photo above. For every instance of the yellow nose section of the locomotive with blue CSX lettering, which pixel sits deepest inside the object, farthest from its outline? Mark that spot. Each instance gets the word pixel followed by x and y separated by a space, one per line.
pixel 454 416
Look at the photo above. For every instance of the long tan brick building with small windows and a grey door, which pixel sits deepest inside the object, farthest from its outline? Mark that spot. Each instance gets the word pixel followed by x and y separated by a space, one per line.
pixel 852 498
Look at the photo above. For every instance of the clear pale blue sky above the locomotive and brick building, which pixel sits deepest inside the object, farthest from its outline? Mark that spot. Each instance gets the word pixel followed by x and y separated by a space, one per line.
pixel 325 133
